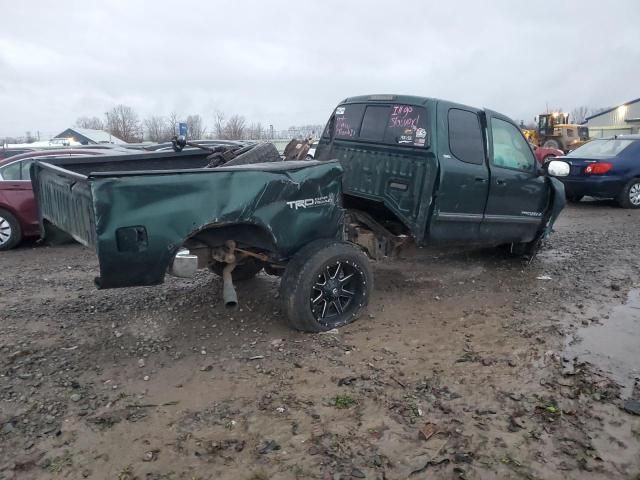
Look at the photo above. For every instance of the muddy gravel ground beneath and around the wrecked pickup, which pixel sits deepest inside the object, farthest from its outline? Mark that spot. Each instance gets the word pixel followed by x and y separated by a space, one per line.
pixel 466 365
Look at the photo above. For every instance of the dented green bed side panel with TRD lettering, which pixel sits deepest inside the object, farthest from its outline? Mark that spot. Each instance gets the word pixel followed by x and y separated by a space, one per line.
pixel 142 220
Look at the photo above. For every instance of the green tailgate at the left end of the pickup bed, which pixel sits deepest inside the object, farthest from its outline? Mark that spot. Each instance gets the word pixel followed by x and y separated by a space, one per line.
pixel 64 199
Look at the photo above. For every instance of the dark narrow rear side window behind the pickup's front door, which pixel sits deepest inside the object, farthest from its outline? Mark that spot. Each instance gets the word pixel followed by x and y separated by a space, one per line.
pixel 465 136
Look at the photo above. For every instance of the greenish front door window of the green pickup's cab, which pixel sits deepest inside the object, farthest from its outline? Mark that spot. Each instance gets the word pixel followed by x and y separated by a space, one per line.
pixel 510 149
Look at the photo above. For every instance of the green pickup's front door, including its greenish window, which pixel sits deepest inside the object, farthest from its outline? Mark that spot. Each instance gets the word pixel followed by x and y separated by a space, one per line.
pixel 518 195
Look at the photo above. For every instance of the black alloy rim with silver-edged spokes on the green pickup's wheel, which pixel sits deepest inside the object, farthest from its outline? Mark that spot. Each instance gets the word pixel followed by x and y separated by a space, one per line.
pixel 336 293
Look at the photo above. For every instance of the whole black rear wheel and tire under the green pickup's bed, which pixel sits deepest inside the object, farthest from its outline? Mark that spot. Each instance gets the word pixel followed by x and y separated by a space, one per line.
pixel 336 264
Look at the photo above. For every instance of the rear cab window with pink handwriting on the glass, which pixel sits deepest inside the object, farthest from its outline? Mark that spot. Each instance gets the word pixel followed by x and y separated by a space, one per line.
pixel 392 124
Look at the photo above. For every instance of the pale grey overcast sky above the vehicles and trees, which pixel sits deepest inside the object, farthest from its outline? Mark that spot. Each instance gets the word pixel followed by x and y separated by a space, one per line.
pixel 286 63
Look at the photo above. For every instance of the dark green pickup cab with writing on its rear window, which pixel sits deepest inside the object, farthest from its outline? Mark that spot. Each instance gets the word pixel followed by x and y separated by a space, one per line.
pixel 438 171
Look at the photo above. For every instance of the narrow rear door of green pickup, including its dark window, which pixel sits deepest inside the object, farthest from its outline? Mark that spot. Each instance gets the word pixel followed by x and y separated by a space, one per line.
pixel 464 175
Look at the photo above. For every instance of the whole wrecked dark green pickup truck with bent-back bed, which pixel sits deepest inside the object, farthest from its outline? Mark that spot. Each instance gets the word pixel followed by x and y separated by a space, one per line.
pixel 389 170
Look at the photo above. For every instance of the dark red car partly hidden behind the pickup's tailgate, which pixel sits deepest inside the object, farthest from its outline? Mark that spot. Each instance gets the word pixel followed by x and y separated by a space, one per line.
pixel 18 214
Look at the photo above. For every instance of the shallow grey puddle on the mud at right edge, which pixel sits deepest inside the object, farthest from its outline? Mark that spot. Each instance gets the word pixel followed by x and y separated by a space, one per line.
pixel 614 345
